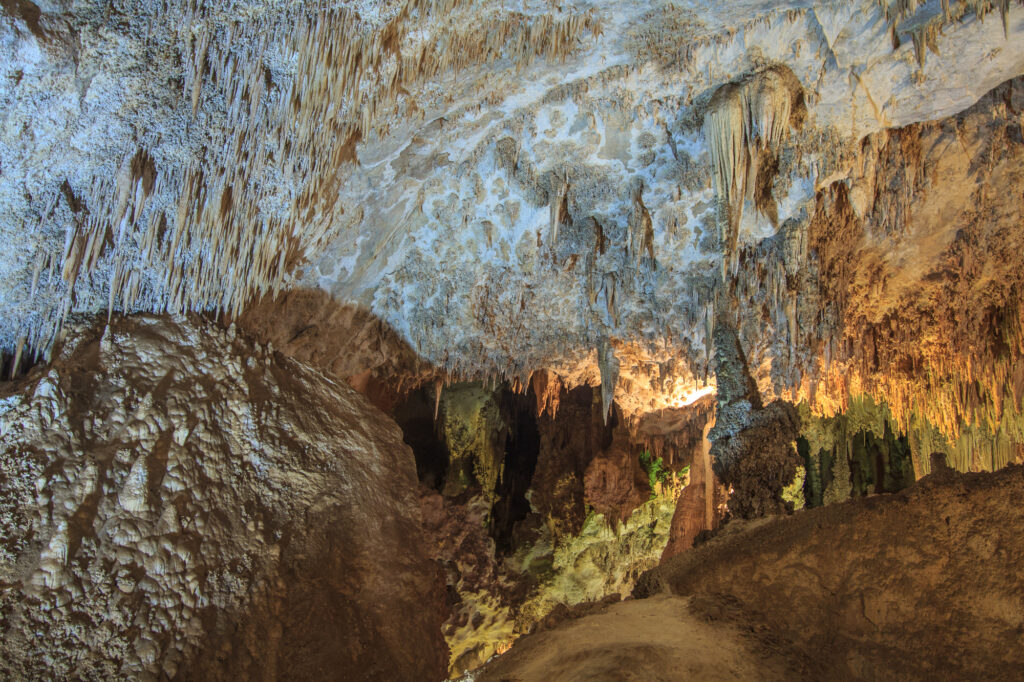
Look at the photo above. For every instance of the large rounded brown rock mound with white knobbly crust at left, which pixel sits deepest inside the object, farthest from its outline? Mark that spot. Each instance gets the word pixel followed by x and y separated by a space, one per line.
pixel 179 503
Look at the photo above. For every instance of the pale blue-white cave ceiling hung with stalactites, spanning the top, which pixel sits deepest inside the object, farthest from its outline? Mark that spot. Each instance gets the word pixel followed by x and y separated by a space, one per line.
pixel 506 187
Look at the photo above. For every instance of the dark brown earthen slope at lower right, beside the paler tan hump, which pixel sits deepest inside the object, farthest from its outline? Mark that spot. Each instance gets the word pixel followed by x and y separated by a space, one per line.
pixel 922 584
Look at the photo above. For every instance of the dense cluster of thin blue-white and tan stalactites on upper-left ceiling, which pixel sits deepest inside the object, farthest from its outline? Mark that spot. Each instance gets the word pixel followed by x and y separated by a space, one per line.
pixel 201 235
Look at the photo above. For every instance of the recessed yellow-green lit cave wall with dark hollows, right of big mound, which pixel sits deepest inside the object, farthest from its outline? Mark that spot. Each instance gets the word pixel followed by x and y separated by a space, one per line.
pixel 533 502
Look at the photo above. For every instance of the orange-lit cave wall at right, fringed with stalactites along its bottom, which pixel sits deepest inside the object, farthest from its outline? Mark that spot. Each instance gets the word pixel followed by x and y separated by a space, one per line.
pixel 904 285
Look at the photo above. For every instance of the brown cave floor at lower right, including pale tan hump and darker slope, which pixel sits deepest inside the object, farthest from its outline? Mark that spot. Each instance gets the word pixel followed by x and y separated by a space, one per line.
pixel 923 584
